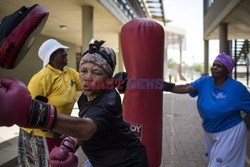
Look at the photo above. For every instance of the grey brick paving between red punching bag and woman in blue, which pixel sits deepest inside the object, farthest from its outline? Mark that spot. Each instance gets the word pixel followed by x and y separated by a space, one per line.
pixel 182 135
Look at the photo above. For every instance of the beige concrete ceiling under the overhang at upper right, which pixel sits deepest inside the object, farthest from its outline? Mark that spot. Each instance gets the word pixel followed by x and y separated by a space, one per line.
pixel 238 23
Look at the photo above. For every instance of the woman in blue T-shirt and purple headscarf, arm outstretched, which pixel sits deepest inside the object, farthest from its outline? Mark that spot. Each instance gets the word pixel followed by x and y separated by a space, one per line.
pixel 220 102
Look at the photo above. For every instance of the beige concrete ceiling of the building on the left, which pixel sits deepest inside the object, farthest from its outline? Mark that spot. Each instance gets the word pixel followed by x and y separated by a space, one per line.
pixel 68 13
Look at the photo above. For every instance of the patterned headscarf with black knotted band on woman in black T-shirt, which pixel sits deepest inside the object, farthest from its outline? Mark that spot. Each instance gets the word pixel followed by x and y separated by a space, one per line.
pixel 102 56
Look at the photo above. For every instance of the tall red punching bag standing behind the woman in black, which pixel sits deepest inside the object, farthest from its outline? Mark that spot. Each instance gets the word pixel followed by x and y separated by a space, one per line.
pixel 142 43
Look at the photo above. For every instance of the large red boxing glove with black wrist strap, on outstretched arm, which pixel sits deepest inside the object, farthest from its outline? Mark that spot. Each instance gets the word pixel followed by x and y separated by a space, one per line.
pixel 17 107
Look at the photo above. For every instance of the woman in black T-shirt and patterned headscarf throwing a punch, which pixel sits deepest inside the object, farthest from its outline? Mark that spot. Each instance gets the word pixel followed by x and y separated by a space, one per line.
pixel 102 133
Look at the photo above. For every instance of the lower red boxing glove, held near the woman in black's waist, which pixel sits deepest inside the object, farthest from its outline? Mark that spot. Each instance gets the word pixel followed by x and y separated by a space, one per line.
pixel 64 156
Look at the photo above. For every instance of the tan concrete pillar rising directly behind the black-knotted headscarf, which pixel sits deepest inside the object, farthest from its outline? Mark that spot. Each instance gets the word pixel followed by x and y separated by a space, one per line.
pixel 87 25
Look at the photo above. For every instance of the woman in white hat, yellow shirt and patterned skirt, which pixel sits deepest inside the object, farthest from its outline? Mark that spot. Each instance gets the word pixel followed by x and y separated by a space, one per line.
pixel 59 84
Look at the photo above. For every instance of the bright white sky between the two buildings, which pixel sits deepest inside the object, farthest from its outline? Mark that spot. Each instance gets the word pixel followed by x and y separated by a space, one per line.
pixel 188 15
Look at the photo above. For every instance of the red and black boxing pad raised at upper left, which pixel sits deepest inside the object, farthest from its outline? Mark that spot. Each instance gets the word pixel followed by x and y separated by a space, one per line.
pixel 18 32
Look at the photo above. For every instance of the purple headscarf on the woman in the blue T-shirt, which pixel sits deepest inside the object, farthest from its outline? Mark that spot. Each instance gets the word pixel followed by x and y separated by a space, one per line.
pixel 226 60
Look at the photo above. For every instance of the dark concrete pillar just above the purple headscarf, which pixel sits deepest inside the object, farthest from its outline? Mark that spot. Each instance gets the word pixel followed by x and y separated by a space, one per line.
pixel 224 47
